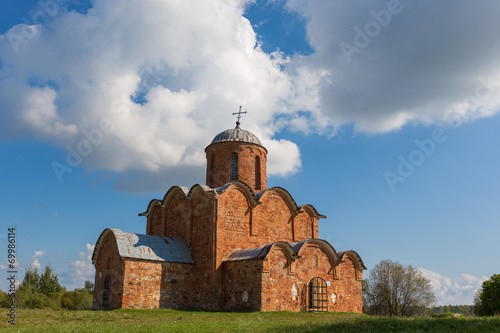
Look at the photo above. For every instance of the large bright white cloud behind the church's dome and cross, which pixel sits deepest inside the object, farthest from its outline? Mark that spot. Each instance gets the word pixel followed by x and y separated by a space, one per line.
pixel 187 66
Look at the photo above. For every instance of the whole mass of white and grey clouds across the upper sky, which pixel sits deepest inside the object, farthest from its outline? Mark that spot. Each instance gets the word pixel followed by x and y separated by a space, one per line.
pixel 140 88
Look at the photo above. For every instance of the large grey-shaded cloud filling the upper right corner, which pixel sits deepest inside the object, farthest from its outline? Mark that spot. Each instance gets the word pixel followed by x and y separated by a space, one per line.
pixel 421 62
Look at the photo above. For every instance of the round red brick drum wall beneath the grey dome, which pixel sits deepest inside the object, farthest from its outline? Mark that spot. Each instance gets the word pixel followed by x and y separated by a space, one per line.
pixel 220 168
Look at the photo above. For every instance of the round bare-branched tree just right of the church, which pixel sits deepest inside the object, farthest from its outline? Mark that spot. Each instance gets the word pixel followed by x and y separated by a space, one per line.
pixel 393 289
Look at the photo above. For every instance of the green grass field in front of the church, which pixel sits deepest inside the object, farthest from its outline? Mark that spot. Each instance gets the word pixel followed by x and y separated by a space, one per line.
pixel 198 321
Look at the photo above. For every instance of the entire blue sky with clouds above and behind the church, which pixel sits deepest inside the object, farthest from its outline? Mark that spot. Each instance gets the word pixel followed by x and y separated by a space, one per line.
pixel 383 115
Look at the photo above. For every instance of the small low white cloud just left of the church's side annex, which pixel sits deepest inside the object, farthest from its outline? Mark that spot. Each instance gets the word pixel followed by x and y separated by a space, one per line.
pixel 80 270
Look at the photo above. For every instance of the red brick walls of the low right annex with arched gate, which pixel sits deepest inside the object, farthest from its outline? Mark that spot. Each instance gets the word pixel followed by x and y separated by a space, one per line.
pixel 281 275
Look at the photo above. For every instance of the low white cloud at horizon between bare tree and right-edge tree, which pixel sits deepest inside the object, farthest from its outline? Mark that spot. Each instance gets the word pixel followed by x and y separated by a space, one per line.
pixel 457 291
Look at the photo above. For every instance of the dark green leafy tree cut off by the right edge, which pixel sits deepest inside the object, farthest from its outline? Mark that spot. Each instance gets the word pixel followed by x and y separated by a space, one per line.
pixel 487 300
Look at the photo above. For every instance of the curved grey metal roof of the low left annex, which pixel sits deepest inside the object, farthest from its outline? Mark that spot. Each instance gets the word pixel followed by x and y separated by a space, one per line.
pixel 145 247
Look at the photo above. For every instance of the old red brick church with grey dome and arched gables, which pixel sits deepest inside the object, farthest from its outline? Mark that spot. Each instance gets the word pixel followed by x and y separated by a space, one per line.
pixel 232 244
